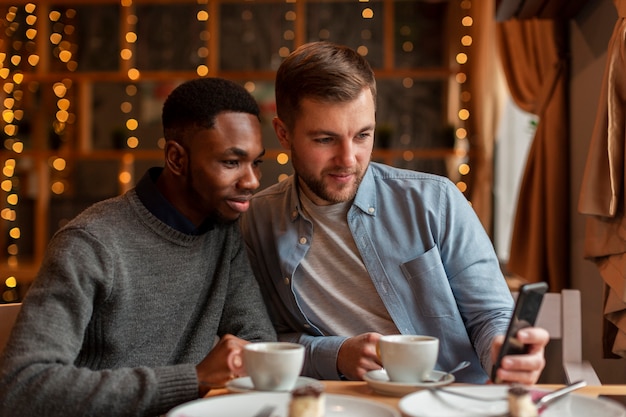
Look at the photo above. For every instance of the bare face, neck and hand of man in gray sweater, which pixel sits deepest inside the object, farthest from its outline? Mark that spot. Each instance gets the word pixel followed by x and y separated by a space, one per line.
pixel 211 175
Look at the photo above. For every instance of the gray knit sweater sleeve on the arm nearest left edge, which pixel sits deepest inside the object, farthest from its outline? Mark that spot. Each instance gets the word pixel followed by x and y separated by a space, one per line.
pixel 39 374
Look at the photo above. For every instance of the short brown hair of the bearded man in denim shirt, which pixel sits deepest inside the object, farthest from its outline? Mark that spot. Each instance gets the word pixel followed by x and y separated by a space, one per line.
pixel 321 71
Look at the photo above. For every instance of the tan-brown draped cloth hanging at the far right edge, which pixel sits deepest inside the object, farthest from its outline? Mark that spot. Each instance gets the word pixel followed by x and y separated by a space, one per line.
pixel 602 191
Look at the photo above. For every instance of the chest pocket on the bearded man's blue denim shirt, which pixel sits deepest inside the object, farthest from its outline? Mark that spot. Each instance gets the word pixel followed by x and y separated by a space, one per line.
pixel 428 281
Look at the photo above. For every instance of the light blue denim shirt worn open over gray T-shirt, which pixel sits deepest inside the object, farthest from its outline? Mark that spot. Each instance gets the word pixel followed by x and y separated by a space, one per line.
pixel 425 250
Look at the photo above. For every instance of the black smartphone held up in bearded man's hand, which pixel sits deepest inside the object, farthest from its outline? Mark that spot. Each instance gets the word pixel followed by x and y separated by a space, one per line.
pixel 524 315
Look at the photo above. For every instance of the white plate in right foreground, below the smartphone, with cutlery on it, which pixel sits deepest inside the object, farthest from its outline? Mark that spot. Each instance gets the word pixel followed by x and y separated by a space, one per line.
pixel 440 404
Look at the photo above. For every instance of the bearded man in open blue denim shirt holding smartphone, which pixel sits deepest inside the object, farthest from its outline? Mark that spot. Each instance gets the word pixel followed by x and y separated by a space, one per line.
pixel 347 249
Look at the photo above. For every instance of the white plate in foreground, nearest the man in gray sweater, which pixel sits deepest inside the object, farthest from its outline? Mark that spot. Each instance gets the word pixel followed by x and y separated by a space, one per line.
pixel 247 404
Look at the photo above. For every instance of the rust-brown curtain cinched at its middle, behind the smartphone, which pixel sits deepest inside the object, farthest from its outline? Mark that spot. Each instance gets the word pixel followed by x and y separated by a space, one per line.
pixel 534 61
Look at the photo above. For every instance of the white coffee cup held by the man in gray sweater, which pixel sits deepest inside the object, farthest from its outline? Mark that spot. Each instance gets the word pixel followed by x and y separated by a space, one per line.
pixel 273 366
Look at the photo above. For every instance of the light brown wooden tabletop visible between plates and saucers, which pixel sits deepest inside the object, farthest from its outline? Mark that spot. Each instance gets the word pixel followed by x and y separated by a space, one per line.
pixel 362 390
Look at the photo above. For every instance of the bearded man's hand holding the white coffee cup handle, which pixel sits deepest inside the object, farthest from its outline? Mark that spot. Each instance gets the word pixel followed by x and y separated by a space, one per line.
pixel 358 355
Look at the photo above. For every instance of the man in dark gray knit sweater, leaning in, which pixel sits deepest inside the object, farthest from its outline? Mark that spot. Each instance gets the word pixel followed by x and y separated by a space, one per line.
pixel 145 300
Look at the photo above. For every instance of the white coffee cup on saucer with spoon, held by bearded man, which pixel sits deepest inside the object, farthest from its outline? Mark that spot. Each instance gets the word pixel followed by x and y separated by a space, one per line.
pixel 408 358
